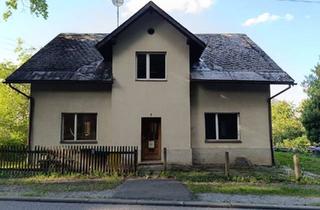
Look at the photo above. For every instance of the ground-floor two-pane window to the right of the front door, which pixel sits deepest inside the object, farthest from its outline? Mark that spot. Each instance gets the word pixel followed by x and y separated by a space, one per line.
pixel 222 126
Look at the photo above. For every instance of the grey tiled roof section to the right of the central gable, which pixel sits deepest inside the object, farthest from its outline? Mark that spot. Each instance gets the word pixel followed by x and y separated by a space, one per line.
pixel 235 57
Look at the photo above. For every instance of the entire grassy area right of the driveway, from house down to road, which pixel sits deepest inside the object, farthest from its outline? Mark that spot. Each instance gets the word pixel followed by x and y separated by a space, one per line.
pixel 257 180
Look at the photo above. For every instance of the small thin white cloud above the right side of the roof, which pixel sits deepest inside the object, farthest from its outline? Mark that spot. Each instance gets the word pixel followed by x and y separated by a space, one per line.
pixel 267 17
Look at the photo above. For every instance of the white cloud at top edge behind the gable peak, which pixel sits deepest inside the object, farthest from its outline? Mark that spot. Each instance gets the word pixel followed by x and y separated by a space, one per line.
pixel 187 6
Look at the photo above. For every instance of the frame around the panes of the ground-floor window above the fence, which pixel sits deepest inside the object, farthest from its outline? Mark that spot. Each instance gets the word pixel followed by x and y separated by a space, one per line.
pixel 75 140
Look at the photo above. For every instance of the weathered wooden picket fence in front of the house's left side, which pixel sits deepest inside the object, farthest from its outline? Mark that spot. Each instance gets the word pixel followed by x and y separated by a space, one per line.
pixel 69 159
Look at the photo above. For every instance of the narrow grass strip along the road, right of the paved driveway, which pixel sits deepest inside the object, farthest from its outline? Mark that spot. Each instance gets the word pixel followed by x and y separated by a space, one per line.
pixel 255 189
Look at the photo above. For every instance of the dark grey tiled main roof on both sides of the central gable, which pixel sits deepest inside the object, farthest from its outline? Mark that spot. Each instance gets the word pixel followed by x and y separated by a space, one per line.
pixel 227 57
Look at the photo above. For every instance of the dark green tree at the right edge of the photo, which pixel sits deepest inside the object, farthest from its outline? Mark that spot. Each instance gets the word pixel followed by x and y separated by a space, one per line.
pixel 311 106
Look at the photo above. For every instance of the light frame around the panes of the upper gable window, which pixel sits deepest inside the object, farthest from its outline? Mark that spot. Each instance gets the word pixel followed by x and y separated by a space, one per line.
pixel 148 53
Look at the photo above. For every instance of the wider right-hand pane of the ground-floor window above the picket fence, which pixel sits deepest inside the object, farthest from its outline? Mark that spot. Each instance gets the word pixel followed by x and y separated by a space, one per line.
pixel 86 126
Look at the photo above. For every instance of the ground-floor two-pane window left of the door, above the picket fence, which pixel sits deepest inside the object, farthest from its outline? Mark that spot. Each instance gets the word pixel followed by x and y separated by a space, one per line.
pixel 77 127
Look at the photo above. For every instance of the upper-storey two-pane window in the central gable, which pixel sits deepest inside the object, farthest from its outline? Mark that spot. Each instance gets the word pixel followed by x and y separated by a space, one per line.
pixel 151 66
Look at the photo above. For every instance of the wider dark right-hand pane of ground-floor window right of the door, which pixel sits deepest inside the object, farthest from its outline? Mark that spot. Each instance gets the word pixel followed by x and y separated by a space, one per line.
pixel 228 126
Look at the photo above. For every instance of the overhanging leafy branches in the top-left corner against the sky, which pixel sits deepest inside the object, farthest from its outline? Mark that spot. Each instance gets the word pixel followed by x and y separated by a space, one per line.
pixel 37 7
